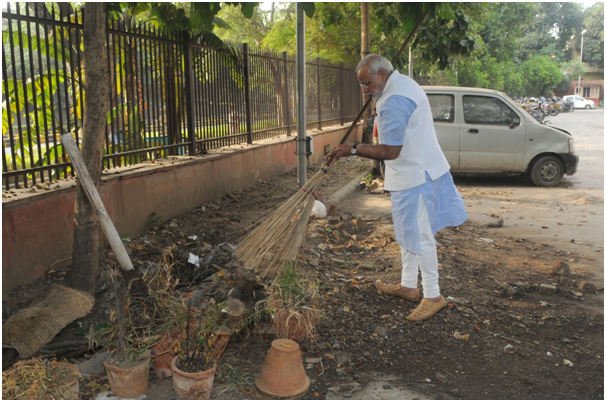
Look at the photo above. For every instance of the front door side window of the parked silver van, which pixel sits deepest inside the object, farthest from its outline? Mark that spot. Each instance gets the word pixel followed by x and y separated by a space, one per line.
pixel 488 110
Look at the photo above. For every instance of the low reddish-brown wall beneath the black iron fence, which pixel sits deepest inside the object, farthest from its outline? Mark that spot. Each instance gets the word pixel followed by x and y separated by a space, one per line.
pixel 37 229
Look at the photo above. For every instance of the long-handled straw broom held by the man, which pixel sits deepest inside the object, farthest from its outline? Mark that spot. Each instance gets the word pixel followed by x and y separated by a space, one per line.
pixel 279 237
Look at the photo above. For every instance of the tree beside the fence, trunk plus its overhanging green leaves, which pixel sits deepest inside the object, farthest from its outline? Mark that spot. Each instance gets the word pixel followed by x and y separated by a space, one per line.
pixel 196 18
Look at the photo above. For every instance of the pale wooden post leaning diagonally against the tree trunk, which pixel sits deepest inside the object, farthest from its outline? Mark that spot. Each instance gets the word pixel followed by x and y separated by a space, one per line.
pixel 115 242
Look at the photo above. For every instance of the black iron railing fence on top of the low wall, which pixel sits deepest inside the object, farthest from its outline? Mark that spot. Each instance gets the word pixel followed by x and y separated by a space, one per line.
pixel 168 95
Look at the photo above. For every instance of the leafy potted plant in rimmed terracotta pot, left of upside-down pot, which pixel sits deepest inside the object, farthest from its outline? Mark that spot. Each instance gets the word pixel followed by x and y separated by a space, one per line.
pixel 196 362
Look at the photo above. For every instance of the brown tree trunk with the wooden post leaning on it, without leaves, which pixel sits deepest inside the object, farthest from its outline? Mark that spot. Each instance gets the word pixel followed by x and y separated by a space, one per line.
pixel 85 254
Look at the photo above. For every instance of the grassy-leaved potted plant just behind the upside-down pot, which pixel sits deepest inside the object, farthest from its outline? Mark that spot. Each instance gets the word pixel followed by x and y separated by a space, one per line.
pixel 293 300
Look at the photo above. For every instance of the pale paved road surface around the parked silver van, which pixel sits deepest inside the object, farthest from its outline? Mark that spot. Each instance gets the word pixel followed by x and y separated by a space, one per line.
pixel 569 217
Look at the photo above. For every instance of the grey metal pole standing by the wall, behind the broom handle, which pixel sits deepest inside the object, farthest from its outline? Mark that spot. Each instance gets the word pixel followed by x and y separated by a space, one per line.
pixel 301 118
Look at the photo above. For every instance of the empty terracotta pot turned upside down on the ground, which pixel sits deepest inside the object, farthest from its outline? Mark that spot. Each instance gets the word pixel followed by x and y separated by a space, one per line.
pixel 283 375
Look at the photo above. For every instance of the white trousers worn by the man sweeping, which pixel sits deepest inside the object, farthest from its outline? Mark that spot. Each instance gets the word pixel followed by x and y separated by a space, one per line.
pixel 427 261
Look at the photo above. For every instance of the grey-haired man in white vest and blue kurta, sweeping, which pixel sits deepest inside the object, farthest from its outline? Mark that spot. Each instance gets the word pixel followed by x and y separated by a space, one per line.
pixel 424 199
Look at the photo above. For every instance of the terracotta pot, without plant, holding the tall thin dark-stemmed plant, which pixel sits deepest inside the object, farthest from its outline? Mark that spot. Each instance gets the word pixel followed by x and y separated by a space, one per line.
pixel 128 379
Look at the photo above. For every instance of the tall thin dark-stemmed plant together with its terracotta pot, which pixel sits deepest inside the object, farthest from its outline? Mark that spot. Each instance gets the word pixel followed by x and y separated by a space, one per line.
pixel 130 340
